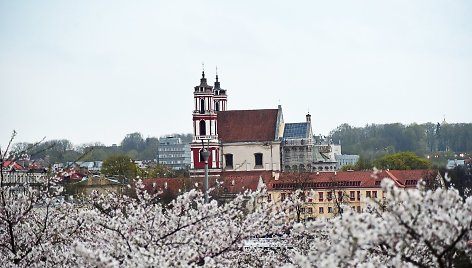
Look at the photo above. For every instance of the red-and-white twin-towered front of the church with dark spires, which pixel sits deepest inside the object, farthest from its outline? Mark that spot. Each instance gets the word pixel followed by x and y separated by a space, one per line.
pixel 207 102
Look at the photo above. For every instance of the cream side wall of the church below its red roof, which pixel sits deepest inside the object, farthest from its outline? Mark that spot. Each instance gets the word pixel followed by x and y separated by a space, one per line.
pixel 244 155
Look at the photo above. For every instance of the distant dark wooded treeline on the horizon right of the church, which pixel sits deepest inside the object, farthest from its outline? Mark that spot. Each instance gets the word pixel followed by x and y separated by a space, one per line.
pixel 376 140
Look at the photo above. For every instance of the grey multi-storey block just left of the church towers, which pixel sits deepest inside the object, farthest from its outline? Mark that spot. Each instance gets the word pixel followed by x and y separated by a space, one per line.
pixel 174 153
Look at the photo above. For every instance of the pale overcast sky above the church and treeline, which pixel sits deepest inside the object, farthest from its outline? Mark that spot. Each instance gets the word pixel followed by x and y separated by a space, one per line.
pixel 91 71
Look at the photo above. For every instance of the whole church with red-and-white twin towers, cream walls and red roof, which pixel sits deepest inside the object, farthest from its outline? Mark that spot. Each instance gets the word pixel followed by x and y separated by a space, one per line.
pixel 237 140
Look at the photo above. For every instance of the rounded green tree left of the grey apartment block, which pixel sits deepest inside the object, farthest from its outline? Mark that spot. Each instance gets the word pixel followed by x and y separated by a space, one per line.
pixel 119 165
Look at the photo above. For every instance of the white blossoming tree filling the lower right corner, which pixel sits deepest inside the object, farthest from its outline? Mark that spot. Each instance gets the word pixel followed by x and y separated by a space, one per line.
pixel 417 229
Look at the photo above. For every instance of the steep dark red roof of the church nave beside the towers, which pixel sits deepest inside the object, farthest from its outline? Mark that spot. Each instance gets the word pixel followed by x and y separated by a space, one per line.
pixel 247 125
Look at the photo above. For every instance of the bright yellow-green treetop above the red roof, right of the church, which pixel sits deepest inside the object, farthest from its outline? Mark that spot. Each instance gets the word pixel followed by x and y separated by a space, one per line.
pixel 402 161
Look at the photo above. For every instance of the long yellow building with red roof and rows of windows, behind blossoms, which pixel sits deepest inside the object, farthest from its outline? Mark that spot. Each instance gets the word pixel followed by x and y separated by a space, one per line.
pixel 325 193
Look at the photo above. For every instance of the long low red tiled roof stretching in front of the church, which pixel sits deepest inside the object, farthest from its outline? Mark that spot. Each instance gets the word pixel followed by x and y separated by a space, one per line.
pixel 234 182
